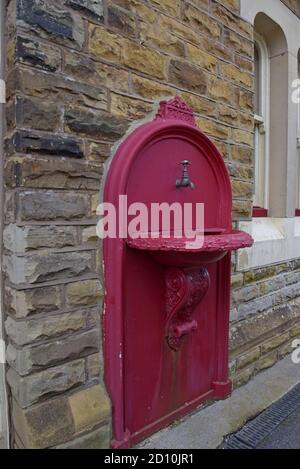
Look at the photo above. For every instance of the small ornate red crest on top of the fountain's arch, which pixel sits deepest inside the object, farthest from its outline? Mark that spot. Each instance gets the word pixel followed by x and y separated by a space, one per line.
pixel 176 109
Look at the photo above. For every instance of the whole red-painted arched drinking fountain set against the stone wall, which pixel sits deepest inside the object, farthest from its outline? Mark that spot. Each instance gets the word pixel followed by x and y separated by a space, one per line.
pixel 149 383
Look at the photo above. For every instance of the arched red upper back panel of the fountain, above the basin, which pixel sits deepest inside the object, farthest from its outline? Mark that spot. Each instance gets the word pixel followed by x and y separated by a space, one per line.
pixel 147 165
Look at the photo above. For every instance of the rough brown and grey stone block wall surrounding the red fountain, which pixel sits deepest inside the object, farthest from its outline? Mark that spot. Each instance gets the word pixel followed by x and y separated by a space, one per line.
pixel 78 73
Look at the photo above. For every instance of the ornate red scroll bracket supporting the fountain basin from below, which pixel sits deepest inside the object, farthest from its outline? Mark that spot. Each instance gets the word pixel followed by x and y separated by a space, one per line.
pixel 185 289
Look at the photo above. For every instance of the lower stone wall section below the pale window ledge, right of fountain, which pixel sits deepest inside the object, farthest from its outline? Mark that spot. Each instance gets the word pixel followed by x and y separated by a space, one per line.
pixel 265 318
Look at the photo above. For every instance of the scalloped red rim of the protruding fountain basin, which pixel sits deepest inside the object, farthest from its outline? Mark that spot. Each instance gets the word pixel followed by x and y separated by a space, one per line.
pixel 223 242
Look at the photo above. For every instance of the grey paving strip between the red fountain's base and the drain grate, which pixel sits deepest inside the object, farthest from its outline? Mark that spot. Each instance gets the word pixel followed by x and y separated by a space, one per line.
pixel 207 428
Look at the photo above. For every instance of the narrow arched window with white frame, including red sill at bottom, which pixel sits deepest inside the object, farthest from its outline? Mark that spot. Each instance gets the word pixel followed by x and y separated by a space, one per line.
pixel 261 128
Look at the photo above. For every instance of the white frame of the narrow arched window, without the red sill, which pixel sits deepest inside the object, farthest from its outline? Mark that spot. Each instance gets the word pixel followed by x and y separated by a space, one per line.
pixel 262 128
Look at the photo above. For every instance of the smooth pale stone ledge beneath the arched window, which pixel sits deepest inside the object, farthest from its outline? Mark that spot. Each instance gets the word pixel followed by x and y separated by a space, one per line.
pixel 275 240
